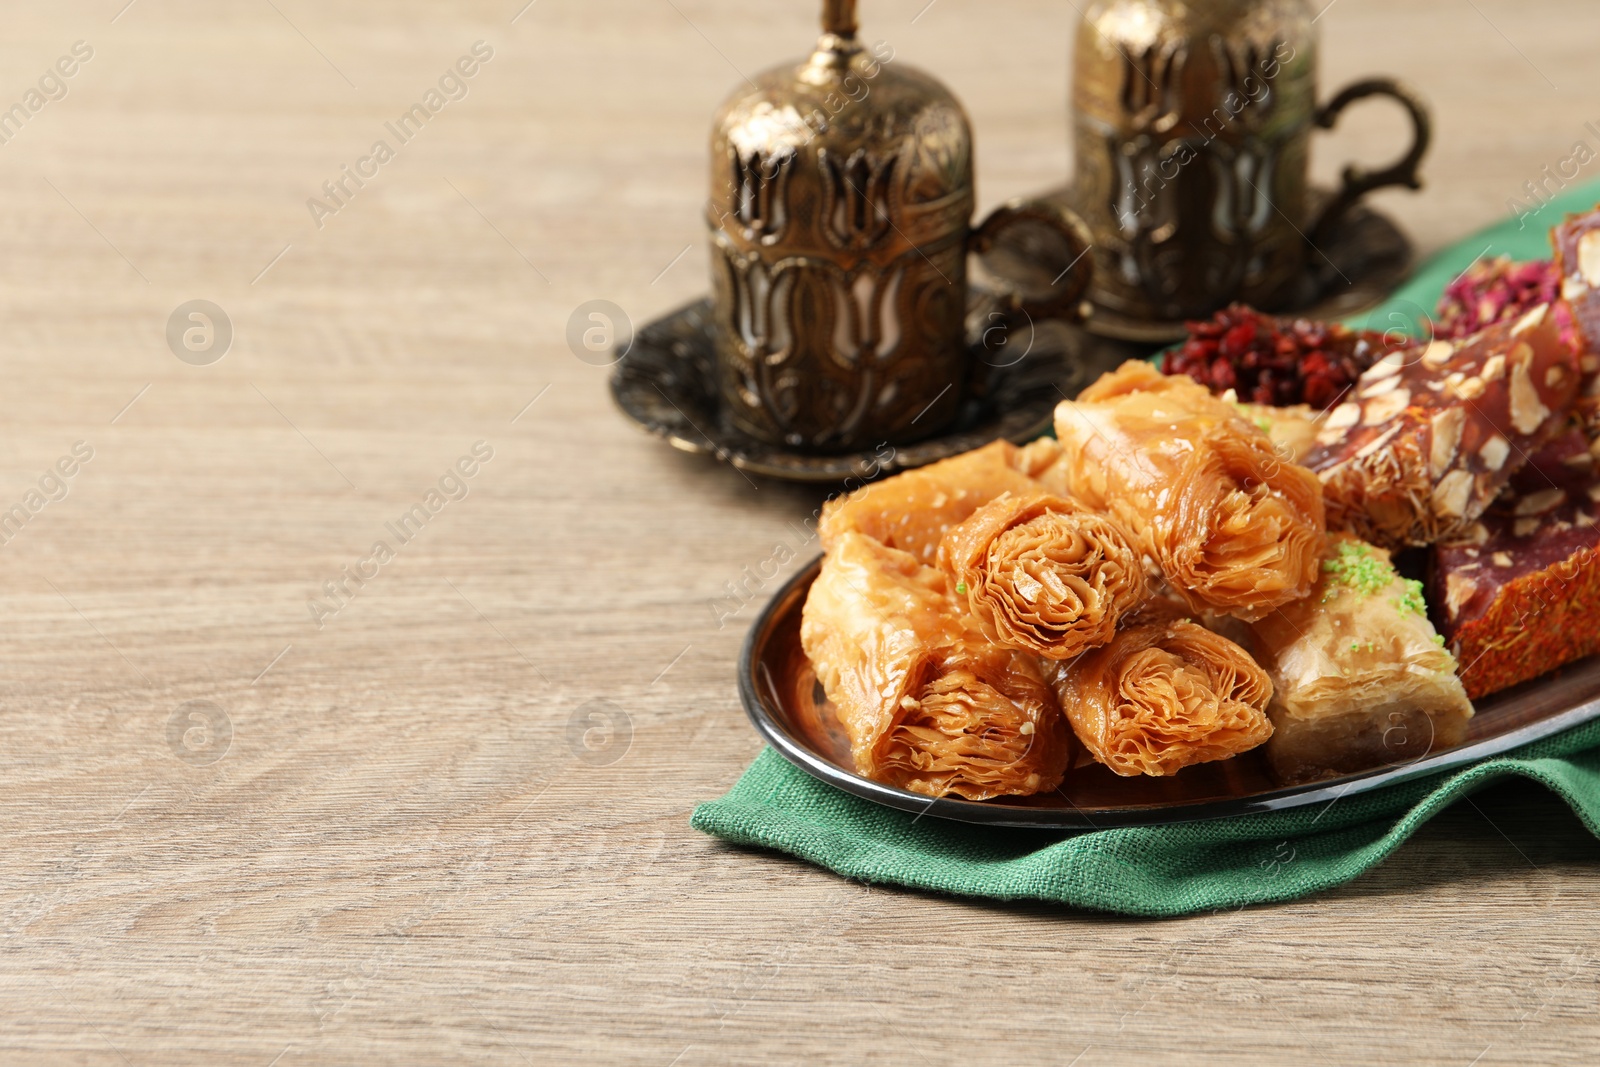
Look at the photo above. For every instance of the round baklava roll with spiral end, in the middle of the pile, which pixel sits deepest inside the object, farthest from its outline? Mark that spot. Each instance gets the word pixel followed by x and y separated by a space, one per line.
pixel 1044 573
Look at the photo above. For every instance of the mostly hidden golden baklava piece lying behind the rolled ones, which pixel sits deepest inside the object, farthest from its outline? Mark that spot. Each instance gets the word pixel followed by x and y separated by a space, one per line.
pixel 913 511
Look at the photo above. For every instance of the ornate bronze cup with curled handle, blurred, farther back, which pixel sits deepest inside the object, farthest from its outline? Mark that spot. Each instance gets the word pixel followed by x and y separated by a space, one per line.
pixel 1193 132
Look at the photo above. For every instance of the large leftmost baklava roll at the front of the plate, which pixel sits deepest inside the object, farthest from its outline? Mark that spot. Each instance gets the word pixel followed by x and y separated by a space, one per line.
pixel 927 701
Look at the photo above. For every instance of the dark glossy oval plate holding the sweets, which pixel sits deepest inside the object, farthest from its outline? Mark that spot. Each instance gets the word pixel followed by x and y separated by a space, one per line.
pixel 788 708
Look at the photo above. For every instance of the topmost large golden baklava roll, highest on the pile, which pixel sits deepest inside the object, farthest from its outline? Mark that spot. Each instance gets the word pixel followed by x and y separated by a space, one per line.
pixel 1233 526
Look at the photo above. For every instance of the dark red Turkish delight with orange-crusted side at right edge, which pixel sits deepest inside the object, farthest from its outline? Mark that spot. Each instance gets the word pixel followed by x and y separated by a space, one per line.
pixel 1518 591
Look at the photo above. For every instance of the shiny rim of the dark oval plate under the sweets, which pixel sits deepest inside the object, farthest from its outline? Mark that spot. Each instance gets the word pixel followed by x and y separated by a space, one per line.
pixel 991 813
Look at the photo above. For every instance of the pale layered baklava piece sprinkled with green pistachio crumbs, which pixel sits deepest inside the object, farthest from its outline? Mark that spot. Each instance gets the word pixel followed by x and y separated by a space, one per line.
pixel 1359 676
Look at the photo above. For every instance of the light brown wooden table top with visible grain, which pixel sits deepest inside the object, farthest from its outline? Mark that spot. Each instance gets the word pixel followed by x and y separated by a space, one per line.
pixel 239 831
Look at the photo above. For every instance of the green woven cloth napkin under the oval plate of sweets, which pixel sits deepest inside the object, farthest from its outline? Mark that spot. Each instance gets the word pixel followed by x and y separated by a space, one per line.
pixel 1190 866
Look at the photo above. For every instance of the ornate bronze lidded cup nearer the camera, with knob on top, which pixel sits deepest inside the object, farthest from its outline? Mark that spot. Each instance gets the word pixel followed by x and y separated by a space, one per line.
pixel 841 223
